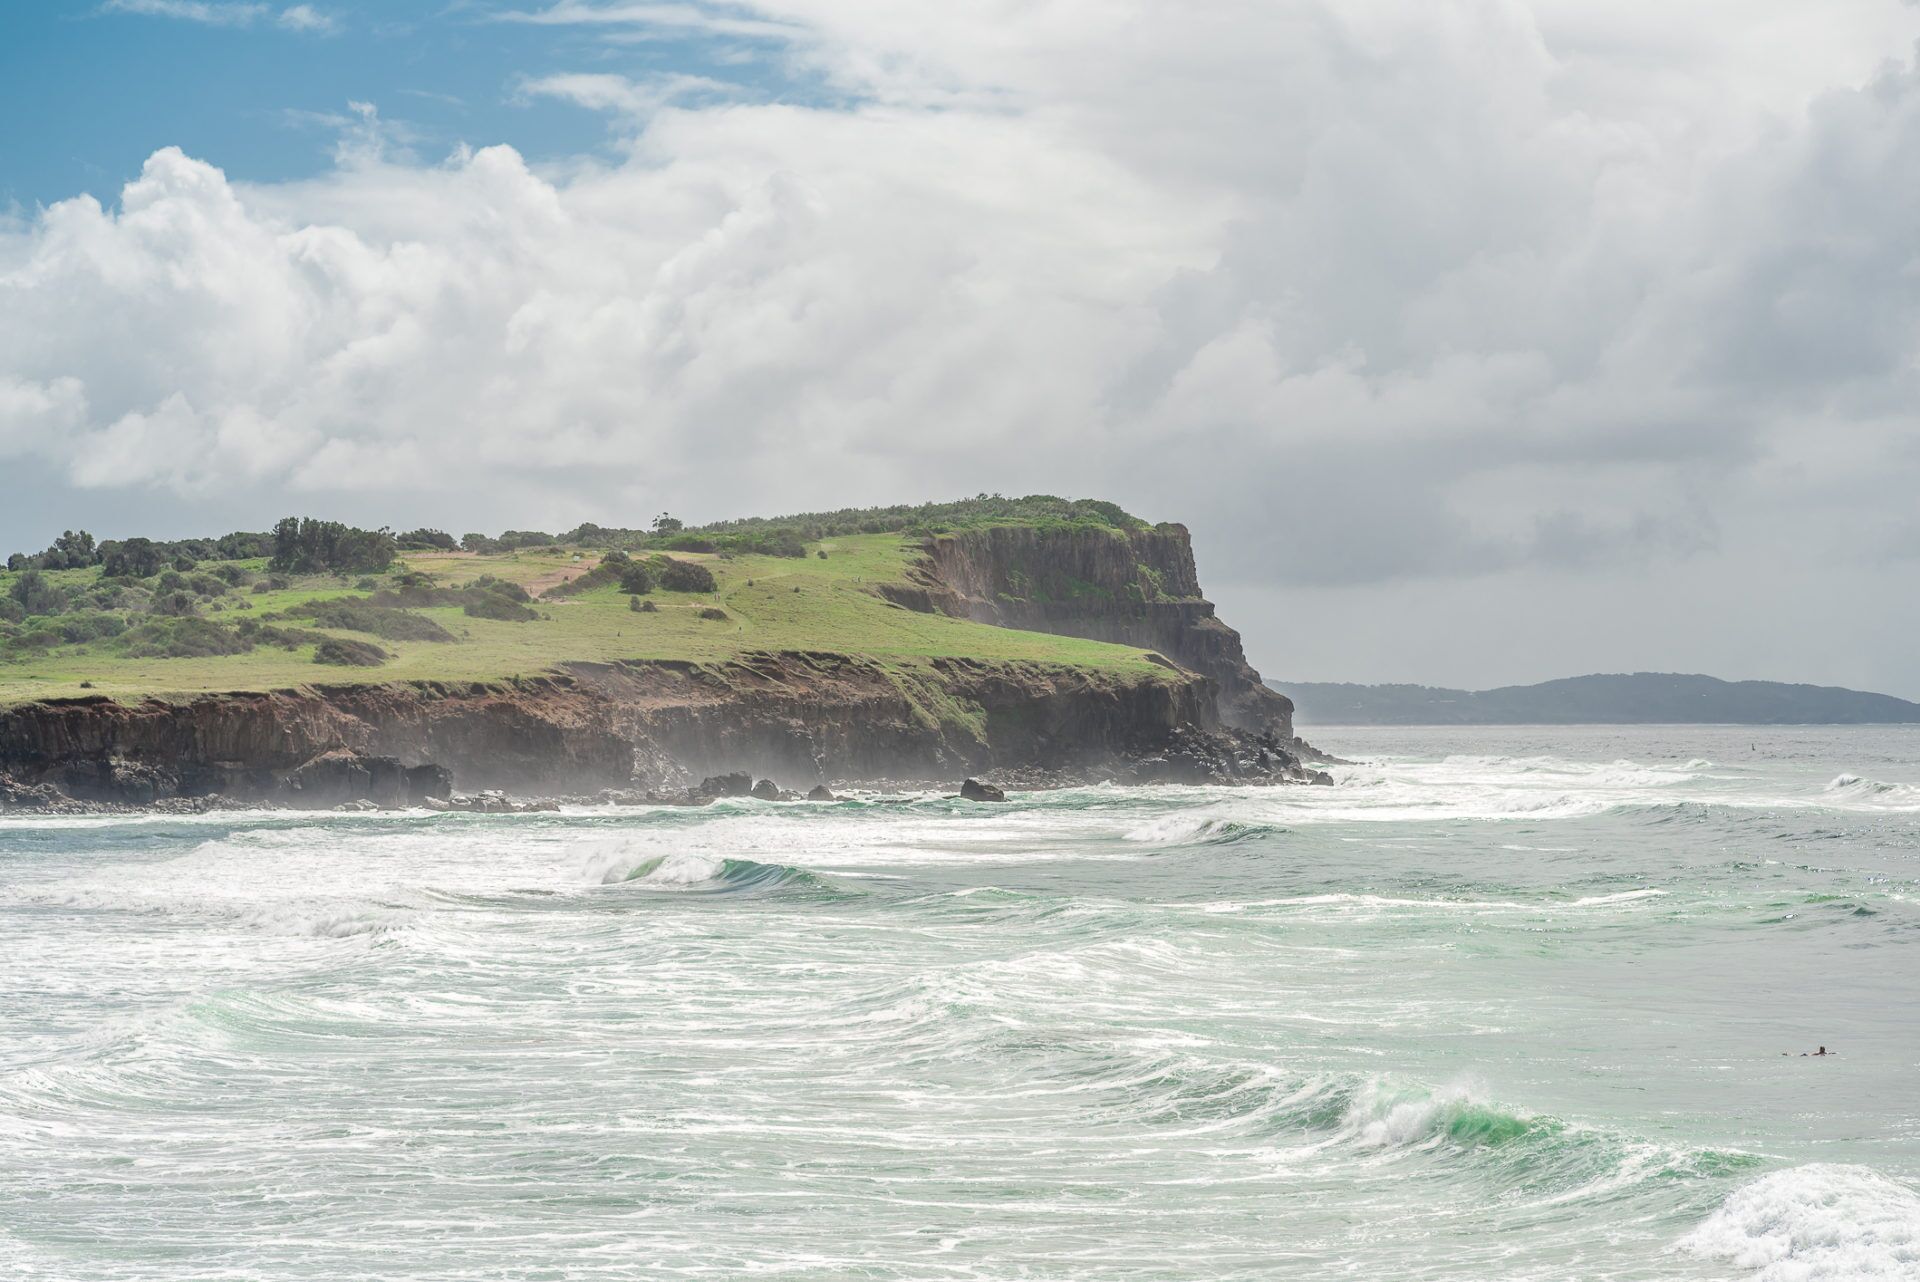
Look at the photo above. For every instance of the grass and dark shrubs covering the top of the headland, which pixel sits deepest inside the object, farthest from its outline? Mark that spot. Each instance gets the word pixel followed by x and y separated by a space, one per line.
pixel 322 604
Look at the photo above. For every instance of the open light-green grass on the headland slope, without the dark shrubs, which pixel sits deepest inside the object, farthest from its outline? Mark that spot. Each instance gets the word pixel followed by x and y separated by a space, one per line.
pixel 832 611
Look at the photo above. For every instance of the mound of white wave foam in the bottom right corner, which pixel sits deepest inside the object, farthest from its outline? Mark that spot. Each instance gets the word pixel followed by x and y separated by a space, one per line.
pixel 1819 1223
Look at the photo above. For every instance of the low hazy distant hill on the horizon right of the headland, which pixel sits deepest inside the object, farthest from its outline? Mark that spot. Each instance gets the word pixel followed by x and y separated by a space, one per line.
pixel 1616 700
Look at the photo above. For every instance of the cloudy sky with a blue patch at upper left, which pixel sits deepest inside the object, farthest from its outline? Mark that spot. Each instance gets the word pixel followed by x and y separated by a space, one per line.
pixel 1477 341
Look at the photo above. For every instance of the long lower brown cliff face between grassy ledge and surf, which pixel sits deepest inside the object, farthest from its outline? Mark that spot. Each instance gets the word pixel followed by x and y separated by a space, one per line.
pixel 654 726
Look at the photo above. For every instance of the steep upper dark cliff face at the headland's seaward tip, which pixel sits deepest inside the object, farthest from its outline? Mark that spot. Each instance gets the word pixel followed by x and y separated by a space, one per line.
pixel 1140 588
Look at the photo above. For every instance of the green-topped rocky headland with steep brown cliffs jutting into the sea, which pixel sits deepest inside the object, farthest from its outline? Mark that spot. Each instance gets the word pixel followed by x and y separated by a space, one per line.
pixel 1068 644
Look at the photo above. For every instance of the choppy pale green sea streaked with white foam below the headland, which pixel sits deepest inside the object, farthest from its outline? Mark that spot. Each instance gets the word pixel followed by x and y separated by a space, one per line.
pixel 1504 1005
